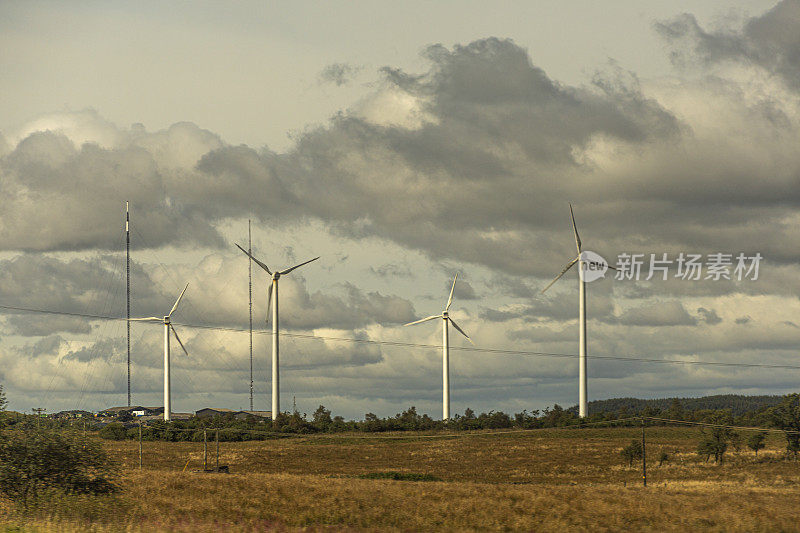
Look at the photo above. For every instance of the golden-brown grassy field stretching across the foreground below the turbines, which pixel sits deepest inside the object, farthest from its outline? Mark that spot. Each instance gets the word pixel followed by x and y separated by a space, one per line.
pixel 543 480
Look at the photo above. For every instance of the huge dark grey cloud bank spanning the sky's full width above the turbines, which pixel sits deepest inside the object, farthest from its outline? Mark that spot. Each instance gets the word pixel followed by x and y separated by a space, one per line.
pixel 481 172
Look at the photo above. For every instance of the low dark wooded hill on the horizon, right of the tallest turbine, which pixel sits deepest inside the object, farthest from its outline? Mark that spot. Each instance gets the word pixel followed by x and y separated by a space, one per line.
pixel 737 403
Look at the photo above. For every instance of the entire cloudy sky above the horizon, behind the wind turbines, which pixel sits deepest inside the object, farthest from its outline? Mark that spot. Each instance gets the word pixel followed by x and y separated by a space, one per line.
pixel 402 145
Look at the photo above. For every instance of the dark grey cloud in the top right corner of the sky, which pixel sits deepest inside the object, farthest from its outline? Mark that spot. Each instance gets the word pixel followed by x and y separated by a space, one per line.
pixel 771 40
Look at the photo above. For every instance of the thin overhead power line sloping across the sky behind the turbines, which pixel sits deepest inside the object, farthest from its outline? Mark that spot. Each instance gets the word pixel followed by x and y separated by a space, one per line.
pixel 476 349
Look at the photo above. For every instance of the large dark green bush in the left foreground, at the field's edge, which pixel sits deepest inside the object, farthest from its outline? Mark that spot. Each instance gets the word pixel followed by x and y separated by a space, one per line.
pixel 32 462
